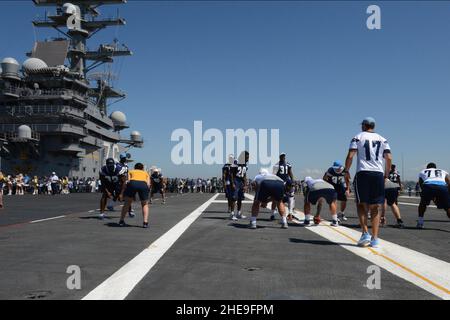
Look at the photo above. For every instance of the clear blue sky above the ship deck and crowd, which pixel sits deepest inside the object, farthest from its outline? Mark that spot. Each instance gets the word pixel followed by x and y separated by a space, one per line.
pixel 311 69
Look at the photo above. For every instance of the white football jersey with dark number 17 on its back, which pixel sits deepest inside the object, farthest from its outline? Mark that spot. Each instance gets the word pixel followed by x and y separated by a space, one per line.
pixel 371 148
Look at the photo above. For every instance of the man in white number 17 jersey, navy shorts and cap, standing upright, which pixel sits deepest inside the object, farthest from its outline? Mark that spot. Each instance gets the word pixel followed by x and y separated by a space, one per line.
pixel 373 167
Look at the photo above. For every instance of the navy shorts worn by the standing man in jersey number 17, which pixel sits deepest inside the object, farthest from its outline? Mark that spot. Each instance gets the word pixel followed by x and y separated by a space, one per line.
pixel 369 187
